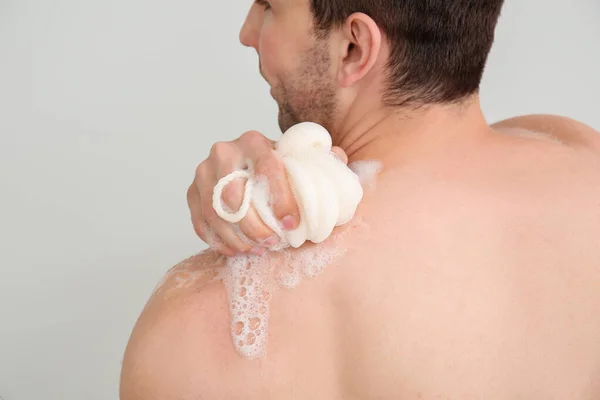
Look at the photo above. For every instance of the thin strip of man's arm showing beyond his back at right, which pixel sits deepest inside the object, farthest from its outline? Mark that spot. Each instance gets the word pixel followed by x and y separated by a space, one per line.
pixel 568 131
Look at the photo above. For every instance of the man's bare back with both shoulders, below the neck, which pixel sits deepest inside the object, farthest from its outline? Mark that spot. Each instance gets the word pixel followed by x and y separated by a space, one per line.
pixel 472 272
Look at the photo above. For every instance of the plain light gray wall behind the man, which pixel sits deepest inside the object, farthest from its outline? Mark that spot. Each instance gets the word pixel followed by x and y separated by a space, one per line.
pixel 106 108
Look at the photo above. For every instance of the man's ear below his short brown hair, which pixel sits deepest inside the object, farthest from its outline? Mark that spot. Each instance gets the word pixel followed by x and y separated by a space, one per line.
pixel 359 48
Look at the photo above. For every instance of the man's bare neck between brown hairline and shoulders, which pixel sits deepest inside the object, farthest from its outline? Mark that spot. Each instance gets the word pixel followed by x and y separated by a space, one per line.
pixel 386 133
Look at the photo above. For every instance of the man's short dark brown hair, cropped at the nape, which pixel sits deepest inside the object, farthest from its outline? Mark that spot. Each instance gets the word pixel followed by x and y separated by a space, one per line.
pixel 439 48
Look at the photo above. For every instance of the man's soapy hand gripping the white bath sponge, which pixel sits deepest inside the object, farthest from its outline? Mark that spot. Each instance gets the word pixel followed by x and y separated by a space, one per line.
pixel 250 235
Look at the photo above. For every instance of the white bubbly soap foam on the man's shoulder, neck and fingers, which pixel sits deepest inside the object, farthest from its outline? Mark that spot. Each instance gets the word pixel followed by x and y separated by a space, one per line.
pixel 250 281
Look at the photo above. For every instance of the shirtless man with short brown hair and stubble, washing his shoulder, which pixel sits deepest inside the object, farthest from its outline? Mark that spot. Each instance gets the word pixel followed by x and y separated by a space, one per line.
pixel 472 269
